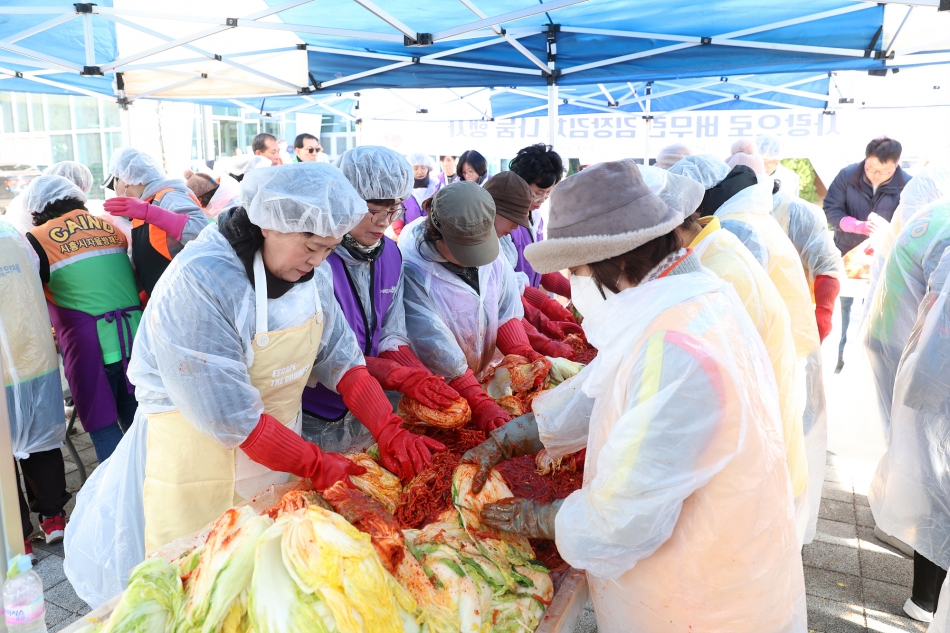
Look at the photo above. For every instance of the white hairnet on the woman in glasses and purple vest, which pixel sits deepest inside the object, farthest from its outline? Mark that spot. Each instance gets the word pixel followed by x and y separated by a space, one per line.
pixel 377 173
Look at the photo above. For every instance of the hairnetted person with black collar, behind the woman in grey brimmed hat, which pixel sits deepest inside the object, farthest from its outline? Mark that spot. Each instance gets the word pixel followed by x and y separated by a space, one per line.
pixel 742 202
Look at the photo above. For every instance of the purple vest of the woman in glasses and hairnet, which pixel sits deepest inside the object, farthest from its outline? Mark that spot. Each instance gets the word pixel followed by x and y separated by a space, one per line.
pixel 384 276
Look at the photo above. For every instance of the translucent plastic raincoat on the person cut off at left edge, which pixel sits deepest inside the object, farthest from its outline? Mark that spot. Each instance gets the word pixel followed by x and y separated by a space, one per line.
pixel 30 367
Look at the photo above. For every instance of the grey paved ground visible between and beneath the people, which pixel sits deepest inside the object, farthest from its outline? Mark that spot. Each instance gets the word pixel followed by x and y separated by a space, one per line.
pixel 853 581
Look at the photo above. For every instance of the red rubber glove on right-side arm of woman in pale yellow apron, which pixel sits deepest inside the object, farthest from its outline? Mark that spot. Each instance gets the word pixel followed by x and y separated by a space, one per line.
pixel 402 453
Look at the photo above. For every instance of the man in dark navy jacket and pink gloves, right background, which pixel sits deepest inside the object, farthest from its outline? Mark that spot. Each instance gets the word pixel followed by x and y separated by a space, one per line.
pixel 872 186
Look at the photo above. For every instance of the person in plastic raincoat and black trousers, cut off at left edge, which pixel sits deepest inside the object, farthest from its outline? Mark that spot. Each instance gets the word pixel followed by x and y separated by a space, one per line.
pixel 33 390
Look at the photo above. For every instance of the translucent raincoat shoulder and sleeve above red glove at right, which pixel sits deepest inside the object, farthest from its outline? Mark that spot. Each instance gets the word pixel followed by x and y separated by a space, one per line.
pixel 807 228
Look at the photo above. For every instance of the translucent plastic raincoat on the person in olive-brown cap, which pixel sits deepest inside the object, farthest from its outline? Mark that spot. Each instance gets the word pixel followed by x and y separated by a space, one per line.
pixel 451 328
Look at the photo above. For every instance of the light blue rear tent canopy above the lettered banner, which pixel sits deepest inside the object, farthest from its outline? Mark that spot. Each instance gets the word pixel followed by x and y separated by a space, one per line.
pixel 742 92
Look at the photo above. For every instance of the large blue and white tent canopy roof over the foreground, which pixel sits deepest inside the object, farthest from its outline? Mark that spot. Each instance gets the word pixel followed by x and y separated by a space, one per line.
pixel 253 49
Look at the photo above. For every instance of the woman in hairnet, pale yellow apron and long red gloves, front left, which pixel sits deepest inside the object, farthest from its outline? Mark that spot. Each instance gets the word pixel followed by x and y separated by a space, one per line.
pixel 239 321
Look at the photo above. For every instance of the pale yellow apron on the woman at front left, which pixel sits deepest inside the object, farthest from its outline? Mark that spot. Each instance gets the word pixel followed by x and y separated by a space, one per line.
pixel 189 478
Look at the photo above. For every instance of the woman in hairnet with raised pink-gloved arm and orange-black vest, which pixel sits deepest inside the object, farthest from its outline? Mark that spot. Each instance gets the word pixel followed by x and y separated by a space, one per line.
pixel 165 214
